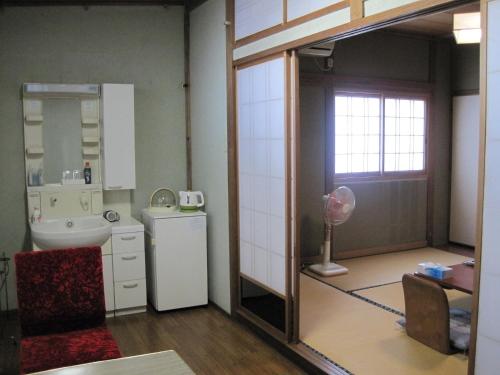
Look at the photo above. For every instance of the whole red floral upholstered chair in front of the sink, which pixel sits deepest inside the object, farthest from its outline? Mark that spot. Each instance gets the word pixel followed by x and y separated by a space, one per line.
pixel 61 309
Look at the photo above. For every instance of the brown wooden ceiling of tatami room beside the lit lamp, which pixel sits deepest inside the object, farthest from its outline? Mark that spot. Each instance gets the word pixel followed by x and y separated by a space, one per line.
pixel 437 24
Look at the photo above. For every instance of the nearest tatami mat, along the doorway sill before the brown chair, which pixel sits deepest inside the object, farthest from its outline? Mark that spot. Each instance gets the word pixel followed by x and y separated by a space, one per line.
pixel 364 338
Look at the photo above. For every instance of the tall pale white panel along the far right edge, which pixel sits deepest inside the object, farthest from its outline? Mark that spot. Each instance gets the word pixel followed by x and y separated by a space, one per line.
pixel 488 340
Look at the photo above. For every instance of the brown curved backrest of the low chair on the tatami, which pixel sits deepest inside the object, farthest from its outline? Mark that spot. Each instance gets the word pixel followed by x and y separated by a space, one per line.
pixel 427 313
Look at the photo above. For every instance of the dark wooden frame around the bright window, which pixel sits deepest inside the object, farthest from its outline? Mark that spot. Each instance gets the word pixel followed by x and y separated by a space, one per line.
pixel 396 90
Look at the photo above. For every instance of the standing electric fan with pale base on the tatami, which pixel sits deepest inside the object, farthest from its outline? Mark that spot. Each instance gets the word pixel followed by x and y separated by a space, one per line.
pixel 339 206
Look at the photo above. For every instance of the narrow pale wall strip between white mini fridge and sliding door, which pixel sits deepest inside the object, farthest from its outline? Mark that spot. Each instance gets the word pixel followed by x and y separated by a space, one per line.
pixel 209 137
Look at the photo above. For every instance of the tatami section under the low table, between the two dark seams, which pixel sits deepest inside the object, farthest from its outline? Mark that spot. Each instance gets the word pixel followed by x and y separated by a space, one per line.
pixel 392 296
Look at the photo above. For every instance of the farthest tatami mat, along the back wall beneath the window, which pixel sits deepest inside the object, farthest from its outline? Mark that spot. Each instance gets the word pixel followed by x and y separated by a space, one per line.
pixel 388 268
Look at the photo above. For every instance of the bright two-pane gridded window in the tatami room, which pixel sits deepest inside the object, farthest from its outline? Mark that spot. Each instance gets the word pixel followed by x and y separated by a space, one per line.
pixel 378 134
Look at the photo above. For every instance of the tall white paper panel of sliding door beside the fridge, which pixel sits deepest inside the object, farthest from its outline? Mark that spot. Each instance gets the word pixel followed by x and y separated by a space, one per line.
pixel 261 165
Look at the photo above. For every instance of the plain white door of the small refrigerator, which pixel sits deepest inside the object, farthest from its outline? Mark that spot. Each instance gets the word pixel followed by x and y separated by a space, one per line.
pixel 181 262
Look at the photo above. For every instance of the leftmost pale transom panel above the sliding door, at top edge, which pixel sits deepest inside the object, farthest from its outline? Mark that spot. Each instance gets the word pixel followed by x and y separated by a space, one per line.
pixel 252 16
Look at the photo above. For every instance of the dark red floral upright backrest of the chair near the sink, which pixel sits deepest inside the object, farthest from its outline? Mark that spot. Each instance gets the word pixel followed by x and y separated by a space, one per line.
pixel 59 290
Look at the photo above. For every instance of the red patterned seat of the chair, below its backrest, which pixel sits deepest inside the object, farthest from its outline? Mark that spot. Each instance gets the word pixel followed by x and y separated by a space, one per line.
pixel 39 353
